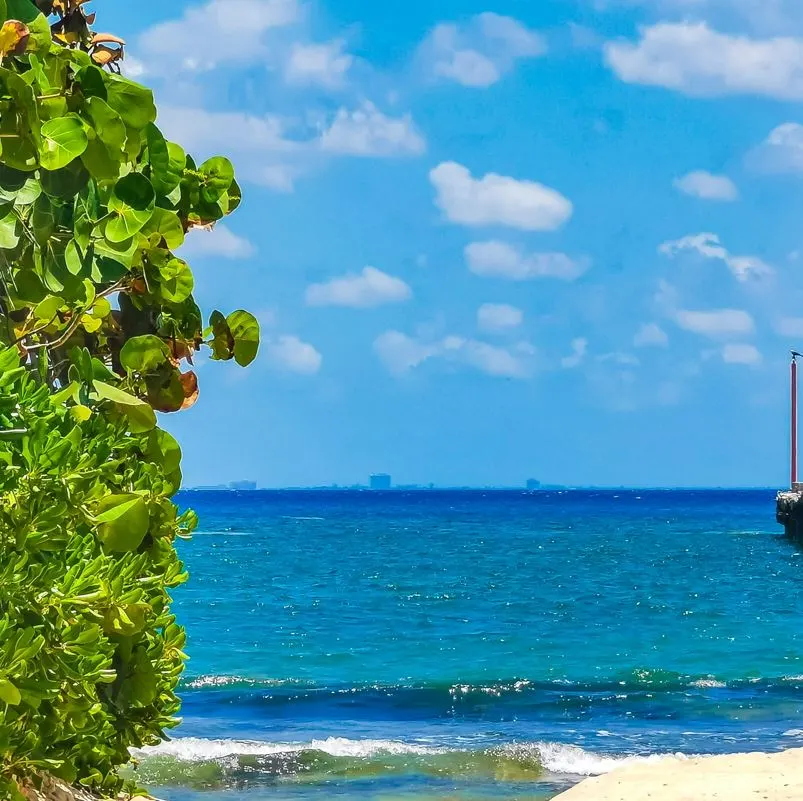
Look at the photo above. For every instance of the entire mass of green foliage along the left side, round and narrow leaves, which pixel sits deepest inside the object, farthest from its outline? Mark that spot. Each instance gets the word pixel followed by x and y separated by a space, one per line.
pixel 98 329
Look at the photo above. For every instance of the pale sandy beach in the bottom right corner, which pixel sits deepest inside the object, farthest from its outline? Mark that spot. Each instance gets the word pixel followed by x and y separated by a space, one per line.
pixel 734 777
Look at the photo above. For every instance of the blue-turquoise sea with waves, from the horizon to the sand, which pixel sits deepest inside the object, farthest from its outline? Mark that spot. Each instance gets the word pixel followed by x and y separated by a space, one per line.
pixel 476 645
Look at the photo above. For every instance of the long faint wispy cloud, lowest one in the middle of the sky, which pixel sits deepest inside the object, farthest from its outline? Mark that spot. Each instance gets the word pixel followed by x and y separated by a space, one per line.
pixel 401 353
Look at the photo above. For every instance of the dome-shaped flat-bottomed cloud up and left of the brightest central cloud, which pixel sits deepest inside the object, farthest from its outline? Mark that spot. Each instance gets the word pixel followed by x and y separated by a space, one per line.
pixel 368 132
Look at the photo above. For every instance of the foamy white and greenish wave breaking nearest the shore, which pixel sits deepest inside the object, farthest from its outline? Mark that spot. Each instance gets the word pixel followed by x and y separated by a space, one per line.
pixel 216 764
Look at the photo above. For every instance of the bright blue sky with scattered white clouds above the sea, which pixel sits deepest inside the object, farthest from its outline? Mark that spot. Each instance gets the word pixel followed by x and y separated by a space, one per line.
pixel 488 241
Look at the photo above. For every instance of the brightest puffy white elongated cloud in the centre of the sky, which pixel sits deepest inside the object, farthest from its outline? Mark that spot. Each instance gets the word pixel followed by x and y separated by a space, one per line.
pixel 497 200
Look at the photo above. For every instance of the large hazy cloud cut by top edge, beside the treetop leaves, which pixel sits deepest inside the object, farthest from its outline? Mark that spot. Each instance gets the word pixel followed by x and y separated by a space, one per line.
pixel 214 33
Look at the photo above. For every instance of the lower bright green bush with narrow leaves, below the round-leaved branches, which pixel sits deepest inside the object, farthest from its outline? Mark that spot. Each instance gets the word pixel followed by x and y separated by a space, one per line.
pixel 89 652
